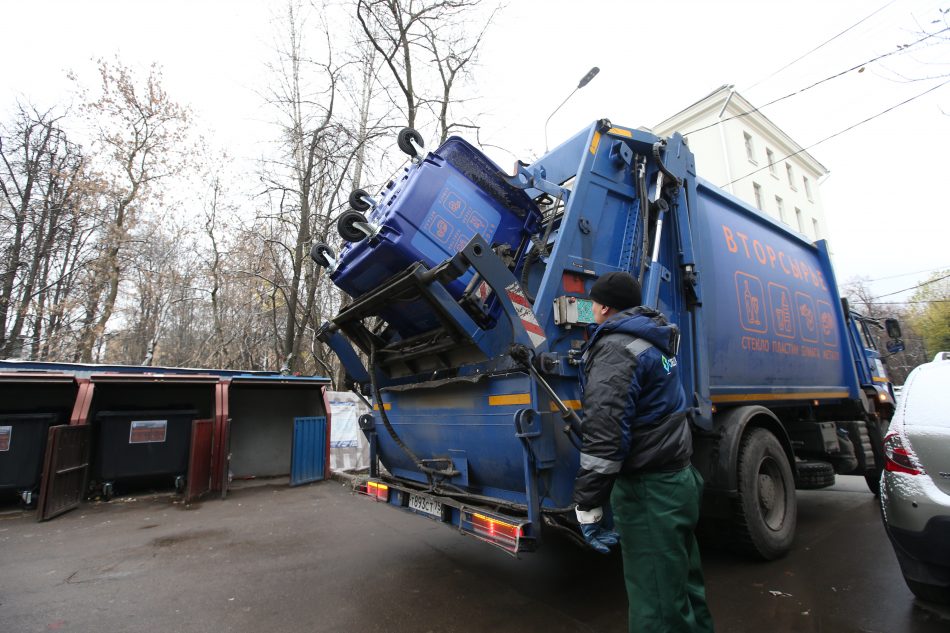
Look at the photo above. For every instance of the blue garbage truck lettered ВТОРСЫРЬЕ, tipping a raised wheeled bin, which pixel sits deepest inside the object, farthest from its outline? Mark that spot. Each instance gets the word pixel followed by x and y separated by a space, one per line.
pixel 469 311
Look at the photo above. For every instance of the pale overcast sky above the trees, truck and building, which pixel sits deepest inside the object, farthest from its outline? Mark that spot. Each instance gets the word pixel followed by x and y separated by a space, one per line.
pixel 884 200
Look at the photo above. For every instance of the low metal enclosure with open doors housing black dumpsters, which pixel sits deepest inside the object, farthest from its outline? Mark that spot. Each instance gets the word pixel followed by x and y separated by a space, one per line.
pixel 142 427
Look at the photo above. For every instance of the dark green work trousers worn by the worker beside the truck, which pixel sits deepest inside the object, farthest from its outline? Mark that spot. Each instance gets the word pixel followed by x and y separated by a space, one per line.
pixel 656 514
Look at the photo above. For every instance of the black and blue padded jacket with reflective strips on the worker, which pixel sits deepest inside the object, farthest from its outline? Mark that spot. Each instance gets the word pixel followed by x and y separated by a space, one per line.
pixel 634 404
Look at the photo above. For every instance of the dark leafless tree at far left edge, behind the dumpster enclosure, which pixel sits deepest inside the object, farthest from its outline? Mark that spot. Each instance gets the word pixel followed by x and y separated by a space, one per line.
pixel 45 221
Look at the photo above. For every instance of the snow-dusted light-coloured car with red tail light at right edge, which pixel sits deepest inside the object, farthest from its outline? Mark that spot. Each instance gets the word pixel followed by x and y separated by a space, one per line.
pixel 915 485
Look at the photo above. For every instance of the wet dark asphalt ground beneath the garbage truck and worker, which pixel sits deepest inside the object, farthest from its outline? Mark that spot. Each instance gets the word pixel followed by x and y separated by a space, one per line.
pixel 317 559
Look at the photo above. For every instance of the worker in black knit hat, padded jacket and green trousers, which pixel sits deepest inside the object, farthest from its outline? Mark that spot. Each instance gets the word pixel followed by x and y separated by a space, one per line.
pixel 635 454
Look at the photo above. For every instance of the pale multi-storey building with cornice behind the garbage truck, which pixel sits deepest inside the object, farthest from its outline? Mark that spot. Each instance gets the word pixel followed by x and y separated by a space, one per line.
pixel 742 151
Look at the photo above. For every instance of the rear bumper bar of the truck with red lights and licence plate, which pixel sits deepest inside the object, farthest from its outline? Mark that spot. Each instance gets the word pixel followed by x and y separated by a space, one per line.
pixel 505 530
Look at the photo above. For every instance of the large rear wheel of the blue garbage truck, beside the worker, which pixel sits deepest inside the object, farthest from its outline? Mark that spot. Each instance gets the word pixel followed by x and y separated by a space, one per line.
pixel 766 510
